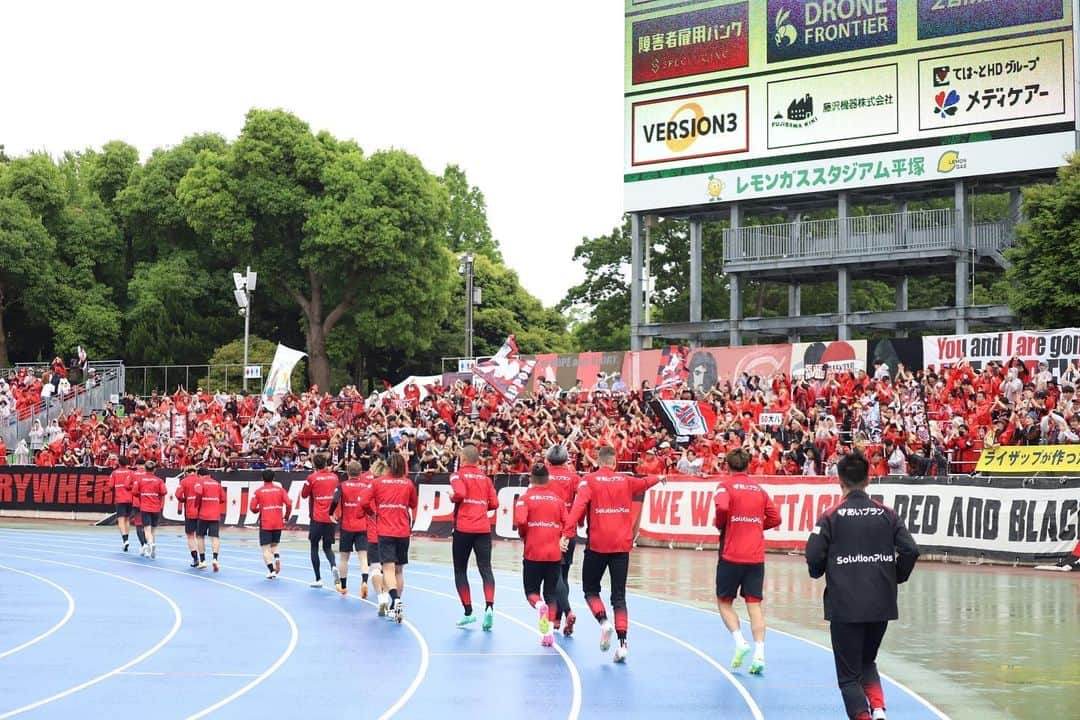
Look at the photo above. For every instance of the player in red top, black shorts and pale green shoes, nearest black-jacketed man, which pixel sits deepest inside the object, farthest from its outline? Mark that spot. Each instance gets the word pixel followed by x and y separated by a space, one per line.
pixel 744 513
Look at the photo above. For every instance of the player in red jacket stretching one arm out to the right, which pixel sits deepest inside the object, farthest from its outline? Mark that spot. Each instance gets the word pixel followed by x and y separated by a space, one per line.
pixel 606 498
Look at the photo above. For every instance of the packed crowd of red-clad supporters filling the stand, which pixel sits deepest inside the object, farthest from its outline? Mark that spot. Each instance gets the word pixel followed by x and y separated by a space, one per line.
pixel 921 423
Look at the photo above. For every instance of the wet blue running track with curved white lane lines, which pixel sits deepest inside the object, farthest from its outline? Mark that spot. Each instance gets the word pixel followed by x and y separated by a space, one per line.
pixel 88 631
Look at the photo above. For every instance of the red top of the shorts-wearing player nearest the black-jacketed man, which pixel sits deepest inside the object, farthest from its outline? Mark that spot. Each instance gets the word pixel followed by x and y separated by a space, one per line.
pixel 745 511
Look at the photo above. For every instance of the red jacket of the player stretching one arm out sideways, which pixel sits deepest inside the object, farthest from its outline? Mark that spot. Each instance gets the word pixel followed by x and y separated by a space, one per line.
pixel 607 498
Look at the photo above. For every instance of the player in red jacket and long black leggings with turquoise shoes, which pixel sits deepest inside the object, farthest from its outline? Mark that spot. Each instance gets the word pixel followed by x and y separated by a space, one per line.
pixel 474 496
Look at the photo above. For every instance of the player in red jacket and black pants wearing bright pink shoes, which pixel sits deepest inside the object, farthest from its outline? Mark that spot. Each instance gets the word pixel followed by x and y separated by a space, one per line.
pixel 539 517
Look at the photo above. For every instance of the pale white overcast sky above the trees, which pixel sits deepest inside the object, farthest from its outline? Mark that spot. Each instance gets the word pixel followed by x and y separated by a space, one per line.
pixel 525 98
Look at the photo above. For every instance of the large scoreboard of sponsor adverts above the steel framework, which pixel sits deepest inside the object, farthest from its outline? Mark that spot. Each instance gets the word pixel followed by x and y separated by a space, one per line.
pixel 841 94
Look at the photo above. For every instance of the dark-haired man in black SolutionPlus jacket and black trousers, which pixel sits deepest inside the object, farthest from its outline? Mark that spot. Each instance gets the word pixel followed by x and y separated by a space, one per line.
pixel 865 551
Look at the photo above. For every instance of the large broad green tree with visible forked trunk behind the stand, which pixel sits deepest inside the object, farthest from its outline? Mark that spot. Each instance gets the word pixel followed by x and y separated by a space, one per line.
pixel 323 225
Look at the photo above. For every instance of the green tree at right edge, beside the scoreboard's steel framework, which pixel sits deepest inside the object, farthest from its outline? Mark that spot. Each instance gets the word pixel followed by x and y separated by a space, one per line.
pixel 1045 277
